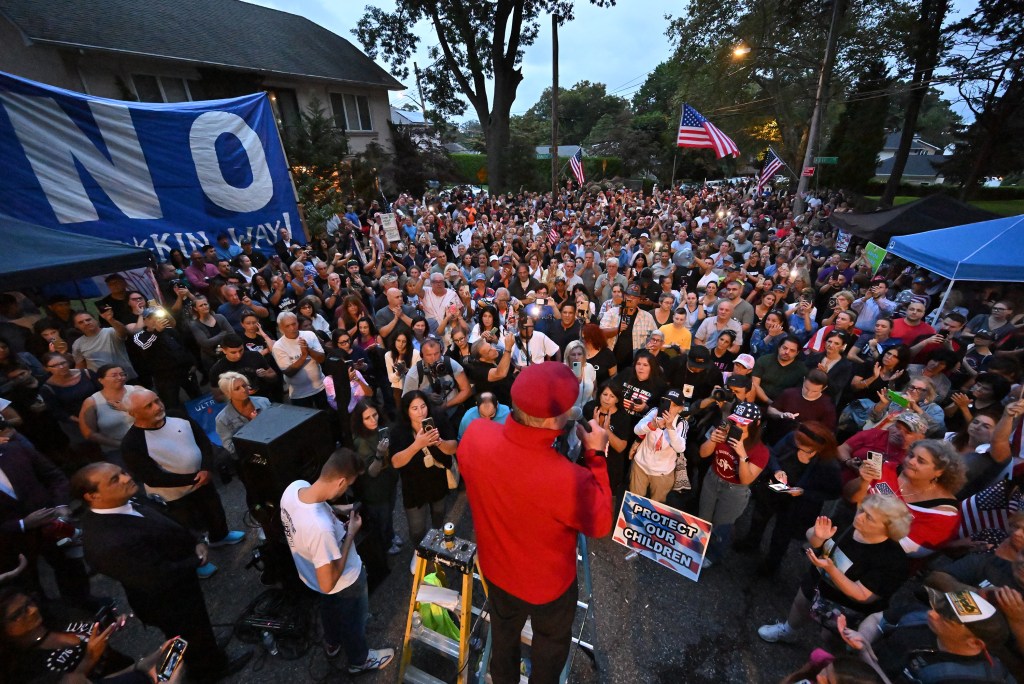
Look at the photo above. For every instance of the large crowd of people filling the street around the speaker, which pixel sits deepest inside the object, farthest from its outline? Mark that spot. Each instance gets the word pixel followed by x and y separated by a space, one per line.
pixel 731 350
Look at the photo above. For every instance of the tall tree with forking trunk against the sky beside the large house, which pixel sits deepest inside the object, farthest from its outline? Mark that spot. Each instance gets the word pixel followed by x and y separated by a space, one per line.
pixel 477 41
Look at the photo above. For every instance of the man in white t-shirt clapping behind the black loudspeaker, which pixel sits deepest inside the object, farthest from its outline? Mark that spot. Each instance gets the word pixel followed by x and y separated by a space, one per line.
pixel 300 355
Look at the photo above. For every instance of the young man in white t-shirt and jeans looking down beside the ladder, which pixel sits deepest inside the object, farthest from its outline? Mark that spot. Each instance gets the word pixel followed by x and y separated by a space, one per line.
pixel 323 548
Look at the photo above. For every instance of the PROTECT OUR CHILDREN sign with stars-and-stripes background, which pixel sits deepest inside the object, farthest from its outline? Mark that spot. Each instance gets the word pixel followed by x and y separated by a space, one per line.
pixel 667 536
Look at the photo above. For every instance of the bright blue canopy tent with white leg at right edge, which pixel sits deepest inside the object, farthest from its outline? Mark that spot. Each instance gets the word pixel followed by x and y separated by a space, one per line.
pixel 985 251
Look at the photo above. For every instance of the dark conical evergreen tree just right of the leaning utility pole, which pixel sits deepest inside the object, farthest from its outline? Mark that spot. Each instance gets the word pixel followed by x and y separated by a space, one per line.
pixel 861 132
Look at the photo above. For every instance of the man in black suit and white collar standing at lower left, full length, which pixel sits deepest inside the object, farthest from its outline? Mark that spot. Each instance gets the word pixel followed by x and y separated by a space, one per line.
pixel 155 560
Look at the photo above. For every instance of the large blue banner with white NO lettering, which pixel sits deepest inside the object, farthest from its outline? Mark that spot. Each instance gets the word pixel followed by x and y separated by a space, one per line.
pixel 160 177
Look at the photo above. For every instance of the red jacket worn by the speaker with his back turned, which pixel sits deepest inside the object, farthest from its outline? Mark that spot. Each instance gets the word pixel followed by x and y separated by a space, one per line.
pixel 529 502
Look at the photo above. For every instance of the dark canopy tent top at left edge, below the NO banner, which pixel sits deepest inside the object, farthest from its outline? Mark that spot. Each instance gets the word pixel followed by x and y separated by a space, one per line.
pixel 33 255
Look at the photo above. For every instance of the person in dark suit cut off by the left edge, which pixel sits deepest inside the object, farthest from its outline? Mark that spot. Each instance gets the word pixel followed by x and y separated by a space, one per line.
pixel 33 502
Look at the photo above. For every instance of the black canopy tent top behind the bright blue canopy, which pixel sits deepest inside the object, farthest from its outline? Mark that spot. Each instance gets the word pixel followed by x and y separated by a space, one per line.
pixel 934 211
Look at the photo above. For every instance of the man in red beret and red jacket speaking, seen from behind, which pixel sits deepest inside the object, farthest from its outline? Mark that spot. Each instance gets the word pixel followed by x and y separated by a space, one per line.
pixel 529 503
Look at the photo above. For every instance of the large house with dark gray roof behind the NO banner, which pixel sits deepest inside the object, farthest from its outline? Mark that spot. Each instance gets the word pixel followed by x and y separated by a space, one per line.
pixel 182 51
